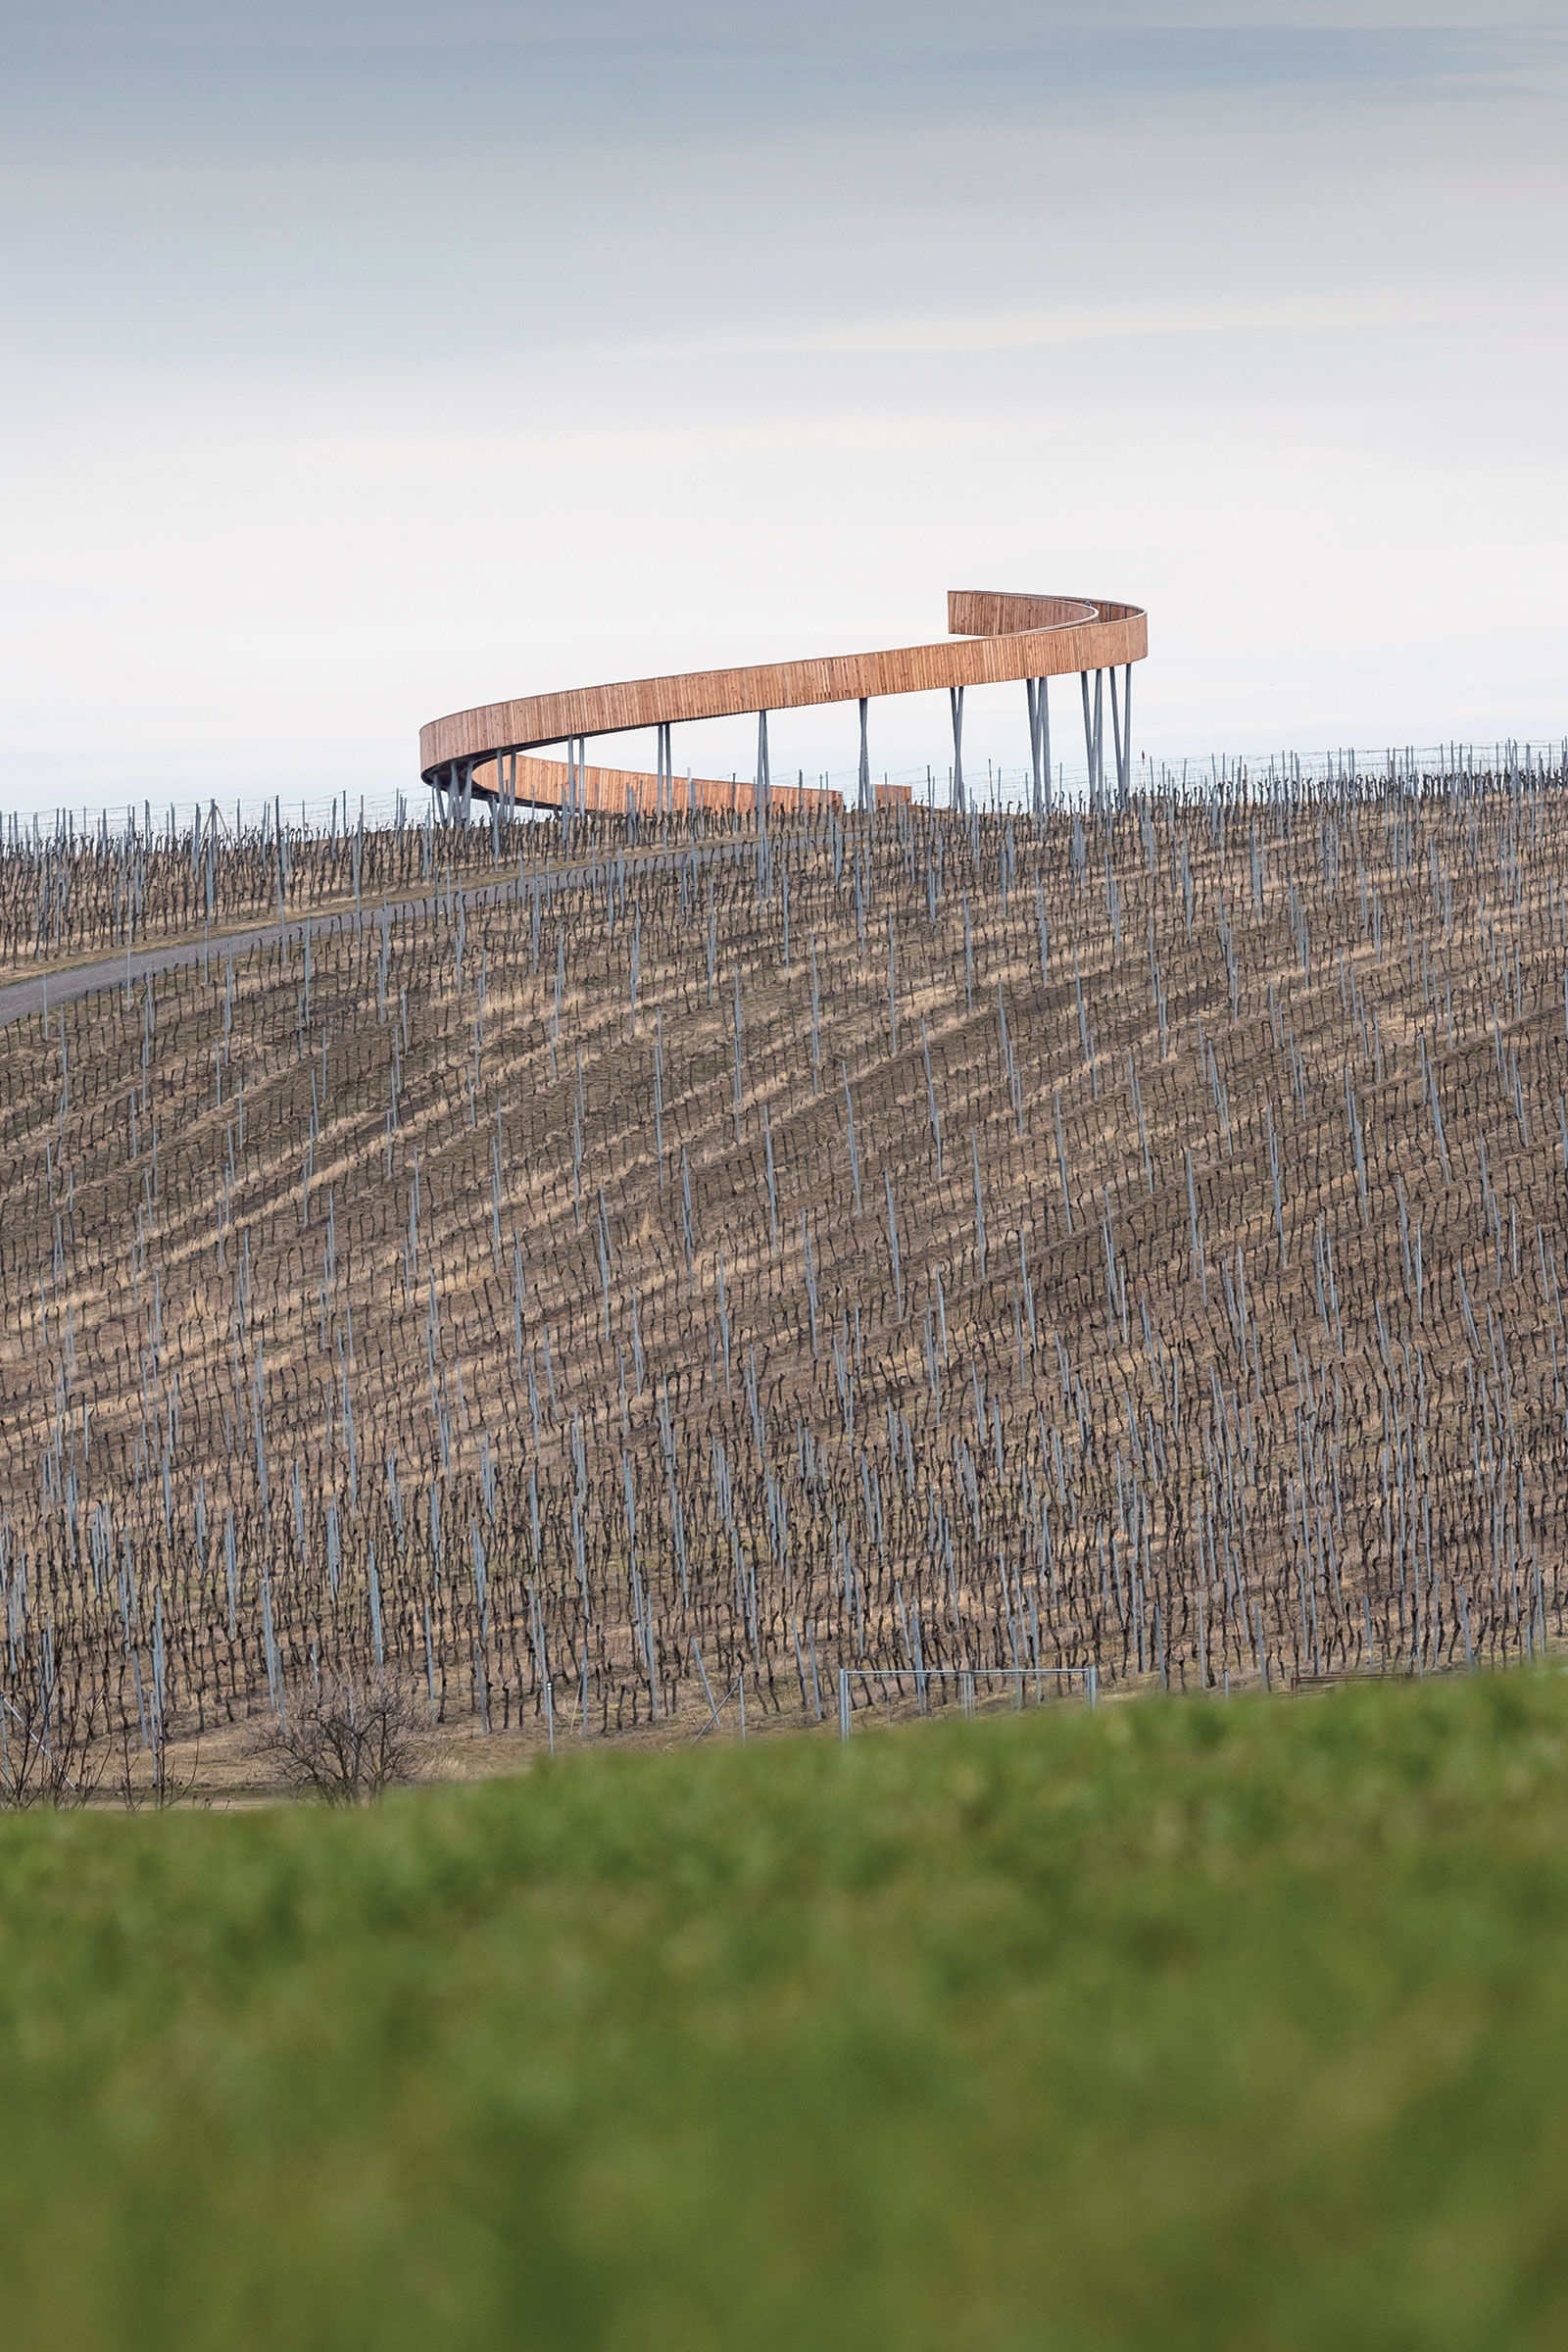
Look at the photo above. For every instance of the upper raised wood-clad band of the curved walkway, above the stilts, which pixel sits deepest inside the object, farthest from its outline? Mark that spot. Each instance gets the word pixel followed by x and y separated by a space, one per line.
pixel 996 636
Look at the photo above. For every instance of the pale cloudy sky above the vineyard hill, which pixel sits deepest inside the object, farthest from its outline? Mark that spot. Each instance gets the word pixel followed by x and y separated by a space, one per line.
pixel 373 359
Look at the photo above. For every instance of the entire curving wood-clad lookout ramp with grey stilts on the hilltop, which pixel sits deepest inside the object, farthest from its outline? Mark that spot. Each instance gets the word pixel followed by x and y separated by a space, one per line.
pixel 993 639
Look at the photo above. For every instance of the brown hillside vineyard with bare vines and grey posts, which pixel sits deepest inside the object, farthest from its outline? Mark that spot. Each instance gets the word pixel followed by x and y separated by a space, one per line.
pixel 624 1274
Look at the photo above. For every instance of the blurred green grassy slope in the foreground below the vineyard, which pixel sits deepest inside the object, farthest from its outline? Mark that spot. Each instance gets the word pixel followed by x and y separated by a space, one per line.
pixel 1177 2024
